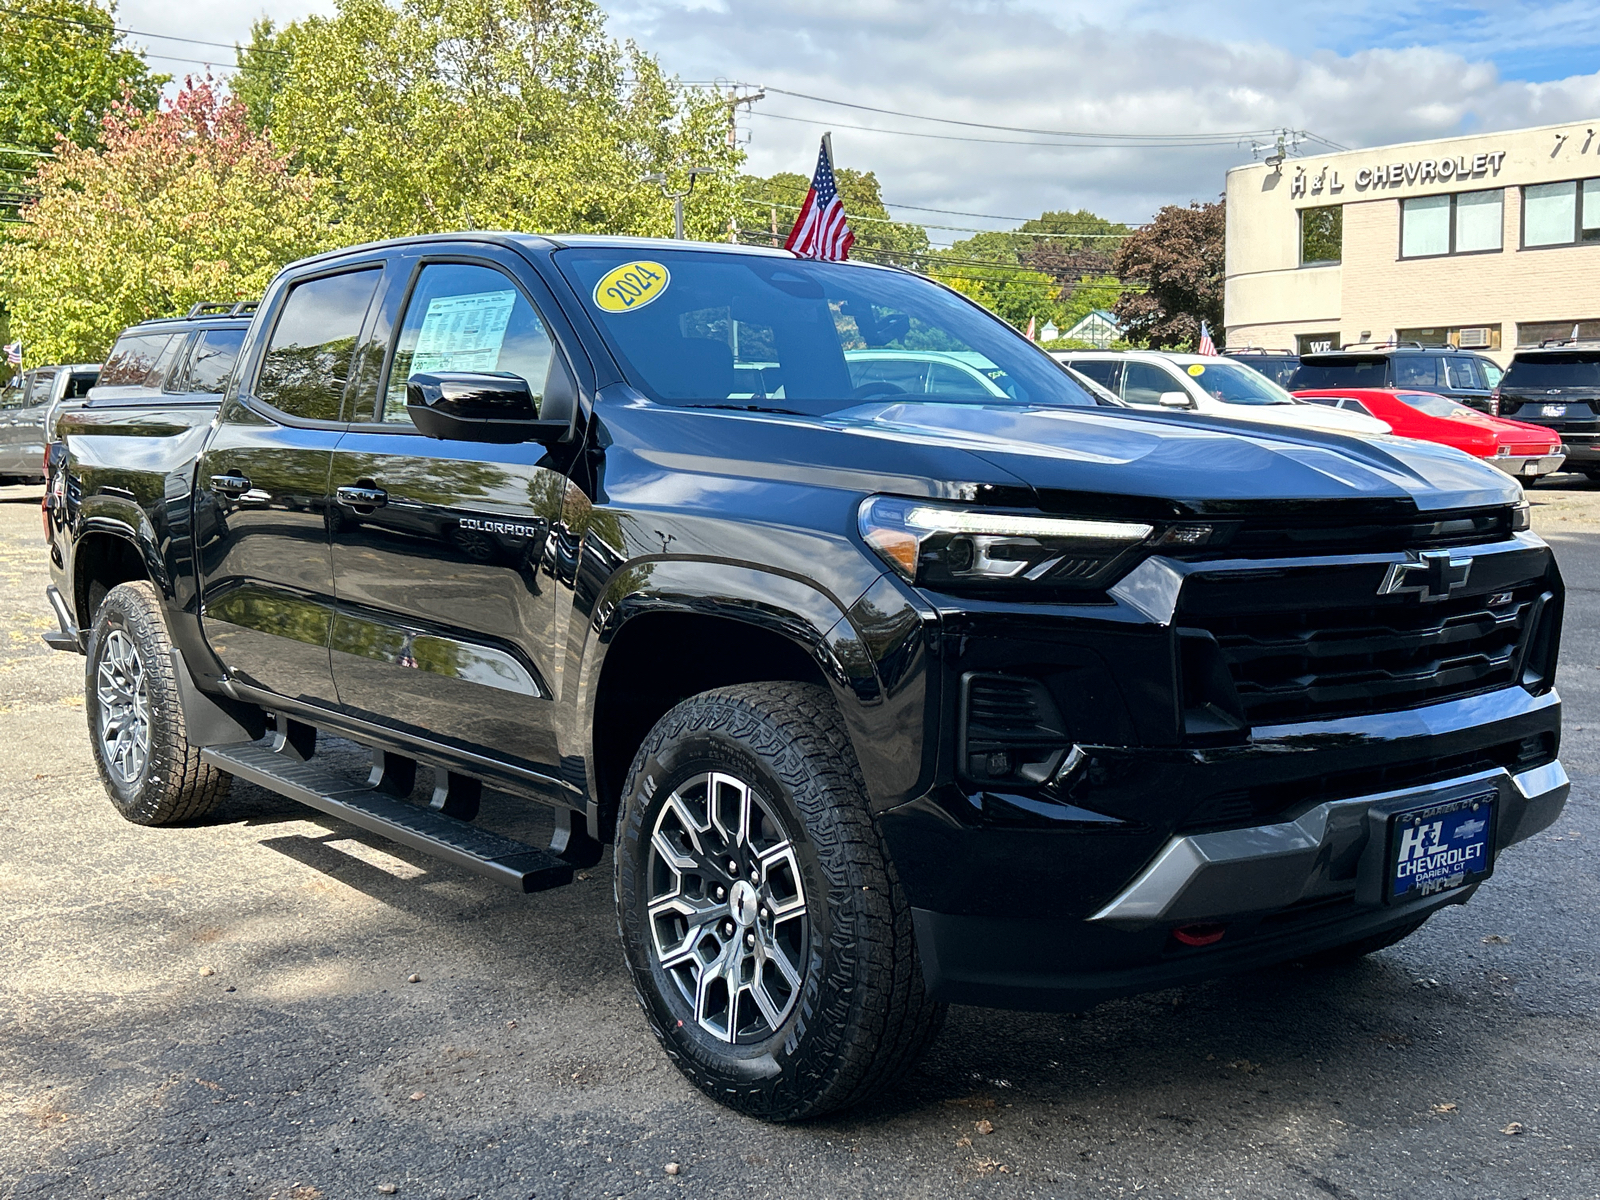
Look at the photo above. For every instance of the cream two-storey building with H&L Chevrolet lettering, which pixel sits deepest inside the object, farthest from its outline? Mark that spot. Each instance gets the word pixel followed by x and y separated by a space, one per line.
pixel 1486 242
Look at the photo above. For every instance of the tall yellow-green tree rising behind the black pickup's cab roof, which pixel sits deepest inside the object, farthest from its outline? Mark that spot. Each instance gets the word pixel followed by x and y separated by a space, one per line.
pixel 494 114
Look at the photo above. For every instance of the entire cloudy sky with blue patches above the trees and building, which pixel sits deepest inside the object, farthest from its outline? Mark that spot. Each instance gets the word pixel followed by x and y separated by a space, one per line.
pixel 1218 78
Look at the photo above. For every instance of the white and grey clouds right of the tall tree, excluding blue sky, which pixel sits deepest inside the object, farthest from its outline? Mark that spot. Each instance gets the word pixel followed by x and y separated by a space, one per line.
pixel 1162 70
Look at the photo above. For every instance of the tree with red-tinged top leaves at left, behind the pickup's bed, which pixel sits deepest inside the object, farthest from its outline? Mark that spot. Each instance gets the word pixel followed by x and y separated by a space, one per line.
pixel 180 206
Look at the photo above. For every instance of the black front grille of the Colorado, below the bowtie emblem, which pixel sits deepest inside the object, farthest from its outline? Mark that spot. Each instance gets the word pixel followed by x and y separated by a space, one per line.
pixel 1382 658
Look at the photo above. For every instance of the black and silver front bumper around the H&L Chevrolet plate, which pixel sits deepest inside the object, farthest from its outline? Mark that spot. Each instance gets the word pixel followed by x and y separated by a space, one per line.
pixel 1078 908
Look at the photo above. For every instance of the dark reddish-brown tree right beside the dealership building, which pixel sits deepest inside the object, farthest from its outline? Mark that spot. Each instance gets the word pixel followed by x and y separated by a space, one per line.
pixel 1178 263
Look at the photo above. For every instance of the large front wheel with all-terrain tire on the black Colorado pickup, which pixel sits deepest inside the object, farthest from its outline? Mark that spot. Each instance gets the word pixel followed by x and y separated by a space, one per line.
pixel 858 1017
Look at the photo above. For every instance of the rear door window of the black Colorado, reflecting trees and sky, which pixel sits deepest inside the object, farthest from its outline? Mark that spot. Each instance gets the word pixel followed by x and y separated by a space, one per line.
pixel 308 362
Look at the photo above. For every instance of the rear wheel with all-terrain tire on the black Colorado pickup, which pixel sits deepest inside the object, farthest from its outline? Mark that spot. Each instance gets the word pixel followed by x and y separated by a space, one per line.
pixel 159 778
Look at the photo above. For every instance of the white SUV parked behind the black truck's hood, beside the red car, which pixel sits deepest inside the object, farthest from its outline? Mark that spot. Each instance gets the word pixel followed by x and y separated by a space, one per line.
pixel 1209 385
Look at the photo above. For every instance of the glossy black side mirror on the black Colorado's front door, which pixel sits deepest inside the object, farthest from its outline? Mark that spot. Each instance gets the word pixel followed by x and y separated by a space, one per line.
pixel 494 407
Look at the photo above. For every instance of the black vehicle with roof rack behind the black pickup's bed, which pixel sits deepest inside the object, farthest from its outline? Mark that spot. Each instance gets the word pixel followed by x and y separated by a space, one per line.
pixel 175 356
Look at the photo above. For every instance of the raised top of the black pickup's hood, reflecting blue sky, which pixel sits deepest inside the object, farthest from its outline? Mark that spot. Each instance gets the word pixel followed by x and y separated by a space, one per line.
pixel 1206 465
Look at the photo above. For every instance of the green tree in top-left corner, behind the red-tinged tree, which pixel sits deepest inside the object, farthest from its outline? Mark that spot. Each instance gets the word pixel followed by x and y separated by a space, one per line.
pixel 63 66
